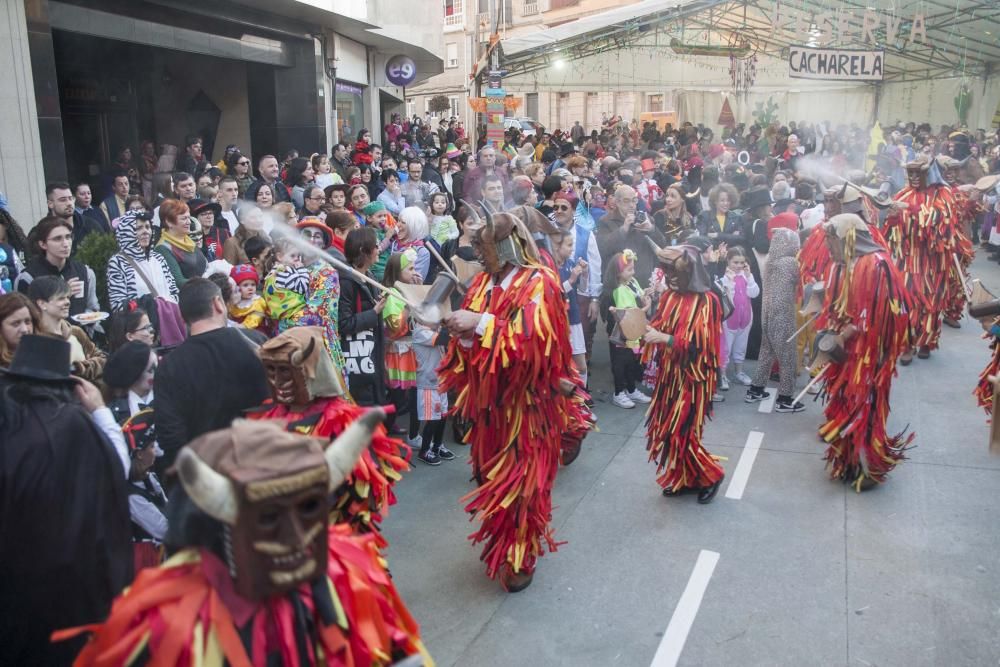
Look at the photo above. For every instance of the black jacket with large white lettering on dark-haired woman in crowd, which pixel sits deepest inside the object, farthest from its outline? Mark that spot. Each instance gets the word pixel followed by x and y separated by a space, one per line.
pixel 356 315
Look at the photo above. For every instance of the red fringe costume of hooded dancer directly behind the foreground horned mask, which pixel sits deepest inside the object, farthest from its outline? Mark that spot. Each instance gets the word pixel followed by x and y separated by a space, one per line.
pixel 365 497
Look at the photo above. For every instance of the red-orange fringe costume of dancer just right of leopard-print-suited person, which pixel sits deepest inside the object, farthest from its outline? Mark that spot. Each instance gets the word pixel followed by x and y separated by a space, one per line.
pixel 871 296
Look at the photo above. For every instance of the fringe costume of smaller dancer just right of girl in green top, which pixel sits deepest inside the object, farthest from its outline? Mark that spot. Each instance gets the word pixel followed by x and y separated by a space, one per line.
pixel 685 381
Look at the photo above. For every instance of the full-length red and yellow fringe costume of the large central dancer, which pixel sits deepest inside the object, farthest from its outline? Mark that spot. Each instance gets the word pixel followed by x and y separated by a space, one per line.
pixel 508 387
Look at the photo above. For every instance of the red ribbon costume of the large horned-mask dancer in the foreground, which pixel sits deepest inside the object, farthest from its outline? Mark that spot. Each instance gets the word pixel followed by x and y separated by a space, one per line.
pixel 186 613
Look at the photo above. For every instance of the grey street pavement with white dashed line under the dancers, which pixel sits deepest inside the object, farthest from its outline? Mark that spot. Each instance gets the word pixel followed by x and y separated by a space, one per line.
pixel 785 567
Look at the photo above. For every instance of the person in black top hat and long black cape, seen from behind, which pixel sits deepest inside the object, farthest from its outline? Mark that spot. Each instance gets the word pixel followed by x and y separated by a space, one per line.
pixel 66 549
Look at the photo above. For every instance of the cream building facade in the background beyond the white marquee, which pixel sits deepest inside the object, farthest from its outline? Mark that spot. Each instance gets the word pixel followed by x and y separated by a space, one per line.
pixel 466 29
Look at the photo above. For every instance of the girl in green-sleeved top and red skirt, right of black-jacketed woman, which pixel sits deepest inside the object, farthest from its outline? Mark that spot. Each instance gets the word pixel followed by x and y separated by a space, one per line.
pixel 400 360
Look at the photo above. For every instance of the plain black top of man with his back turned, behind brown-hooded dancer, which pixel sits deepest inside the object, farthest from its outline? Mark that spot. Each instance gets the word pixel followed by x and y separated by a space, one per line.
pixel 203 385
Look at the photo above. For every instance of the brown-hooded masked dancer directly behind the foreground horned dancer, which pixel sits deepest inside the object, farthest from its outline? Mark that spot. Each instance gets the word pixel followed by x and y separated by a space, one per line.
pixel 307 394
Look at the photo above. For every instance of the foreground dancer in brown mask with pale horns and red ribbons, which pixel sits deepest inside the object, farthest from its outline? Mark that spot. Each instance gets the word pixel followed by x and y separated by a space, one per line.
pixel 259 576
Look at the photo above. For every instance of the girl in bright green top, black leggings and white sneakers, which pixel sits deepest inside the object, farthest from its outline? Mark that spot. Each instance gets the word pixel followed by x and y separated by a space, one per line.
pixel 622 291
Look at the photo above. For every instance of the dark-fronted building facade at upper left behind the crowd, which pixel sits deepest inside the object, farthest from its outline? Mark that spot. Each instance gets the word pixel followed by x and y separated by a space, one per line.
pixel 91 77
